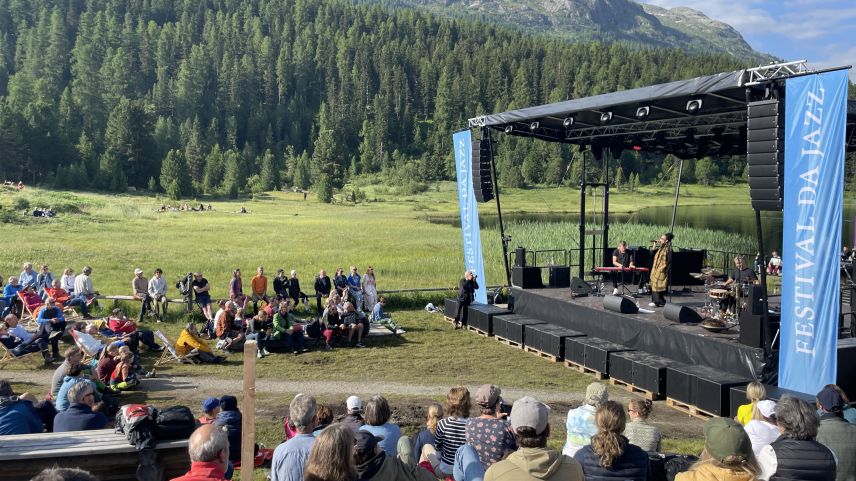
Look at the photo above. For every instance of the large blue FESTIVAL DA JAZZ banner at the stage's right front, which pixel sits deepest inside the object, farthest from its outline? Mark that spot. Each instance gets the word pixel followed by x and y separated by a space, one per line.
pixel 815 118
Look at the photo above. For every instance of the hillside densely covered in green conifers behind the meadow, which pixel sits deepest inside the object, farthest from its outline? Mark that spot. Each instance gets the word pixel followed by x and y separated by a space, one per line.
pixel 231 96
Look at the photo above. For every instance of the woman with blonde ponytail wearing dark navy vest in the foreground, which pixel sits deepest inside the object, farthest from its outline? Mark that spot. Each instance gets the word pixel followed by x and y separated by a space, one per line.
pixel 610 455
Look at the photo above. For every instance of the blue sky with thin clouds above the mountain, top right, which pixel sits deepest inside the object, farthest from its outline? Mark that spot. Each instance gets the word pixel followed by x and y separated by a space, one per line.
pixel 822 32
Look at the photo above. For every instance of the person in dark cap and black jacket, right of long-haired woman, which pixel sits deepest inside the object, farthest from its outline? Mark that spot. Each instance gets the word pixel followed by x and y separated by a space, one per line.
pixel 373 463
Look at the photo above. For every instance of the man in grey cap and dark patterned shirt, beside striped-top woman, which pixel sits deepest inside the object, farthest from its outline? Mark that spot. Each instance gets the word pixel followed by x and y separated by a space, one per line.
pixel 489 433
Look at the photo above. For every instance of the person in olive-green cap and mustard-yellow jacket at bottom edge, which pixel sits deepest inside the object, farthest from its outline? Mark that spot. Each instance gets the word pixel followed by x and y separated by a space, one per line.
pixel 727 454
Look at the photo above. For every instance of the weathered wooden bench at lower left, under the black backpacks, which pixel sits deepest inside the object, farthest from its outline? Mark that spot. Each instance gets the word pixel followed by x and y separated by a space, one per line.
pixel 101 452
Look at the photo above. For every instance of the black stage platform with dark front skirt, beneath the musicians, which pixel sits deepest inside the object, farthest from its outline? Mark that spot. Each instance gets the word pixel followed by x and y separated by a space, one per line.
pixel 651 332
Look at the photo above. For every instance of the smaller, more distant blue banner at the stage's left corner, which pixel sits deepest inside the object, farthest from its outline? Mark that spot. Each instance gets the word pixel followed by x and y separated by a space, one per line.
pixel 473 260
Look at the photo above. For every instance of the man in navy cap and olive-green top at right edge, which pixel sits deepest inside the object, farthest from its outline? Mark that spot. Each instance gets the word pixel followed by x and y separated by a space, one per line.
pixel 835 433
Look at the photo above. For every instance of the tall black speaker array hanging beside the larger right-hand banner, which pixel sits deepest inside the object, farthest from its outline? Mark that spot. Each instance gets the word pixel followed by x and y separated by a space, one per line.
pixel 765 153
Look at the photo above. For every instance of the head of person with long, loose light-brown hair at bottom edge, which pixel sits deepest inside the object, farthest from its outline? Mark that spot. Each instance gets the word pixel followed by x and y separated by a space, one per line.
pixel 331 457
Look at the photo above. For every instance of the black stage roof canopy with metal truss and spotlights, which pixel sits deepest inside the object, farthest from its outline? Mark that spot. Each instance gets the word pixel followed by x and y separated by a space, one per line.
pixel 688 118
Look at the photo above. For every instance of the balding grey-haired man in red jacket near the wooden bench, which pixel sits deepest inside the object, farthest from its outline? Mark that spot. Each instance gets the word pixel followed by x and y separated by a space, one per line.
pixel 209 454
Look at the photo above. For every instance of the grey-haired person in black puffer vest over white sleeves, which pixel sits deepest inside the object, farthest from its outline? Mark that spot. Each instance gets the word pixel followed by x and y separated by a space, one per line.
pixel 796 454
